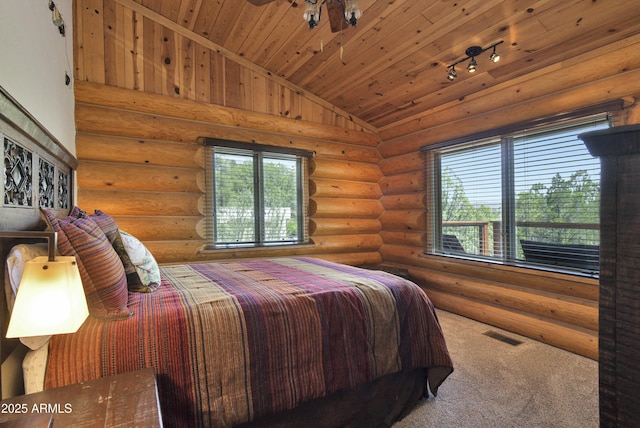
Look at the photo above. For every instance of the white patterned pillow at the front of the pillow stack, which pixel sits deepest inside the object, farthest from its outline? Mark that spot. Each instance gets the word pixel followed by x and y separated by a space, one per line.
pixel 143 273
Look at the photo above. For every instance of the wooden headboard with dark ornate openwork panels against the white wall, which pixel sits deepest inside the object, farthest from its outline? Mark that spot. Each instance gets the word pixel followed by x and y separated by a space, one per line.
pixel 37 172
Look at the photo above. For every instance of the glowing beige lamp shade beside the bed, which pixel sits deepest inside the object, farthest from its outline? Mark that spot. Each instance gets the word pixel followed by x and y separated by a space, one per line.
pixel 50 299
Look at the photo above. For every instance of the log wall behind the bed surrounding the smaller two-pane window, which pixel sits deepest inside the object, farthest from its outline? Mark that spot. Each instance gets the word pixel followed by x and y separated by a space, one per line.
pixel 139 161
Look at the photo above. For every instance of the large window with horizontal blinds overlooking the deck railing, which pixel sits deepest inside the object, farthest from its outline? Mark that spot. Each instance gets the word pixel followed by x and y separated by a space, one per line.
pixel 530 197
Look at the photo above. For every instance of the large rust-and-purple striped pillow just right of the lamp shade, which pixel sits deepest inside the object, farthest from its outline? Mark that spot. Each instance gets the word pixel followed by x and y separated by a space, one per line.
pixel 101 270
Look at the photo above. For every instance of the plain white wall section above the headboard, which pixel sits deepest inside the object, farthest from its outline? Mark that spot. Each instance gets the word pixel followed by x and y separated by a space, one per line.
pixel 34 58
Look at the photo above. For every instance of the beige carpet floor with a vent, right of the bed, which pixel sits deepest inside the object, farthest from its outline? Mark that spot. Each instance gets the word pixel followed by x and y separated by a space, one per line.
pixel 497 385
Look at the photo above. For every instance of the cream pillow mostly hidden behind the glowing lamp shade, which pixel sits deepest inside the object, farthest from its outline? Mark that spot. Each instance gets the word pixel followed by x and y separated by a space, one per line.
pixel 18 256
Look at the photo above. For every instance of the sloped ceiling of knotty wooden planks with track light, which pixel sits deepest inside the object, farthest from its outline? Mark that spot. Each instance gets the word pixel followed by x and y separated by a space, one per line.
pixel 393 64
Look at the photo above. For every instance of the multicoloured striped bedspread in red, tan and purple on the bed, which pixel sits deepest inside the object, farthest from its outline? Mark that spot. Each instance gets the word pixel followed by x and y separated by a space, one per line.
pixel 234 341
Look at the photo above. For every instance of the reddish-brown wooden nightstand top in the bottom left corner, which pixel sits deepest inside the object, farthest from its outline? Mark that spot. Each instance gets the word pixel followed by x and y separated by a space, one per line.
pixel 124 400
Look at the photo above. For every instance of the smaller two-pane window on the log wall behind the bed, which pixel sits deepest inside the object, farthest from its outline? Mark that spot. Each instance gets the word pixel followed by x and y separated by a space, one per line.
pixel 258 196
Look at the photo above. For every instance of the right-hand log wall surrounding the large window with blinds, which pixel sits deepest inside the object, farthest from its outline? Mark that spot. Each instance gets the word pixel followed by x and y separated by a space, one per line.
pixel 557 309
